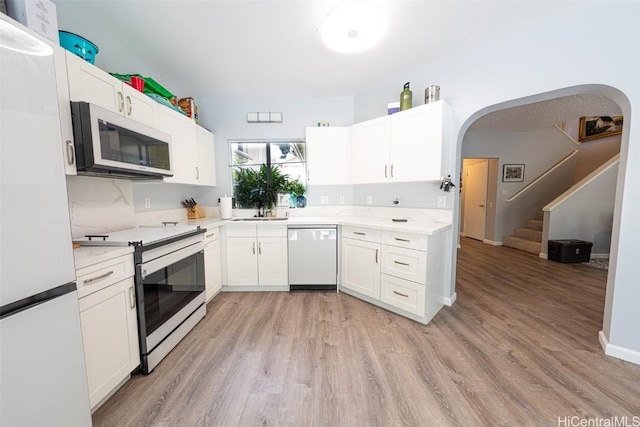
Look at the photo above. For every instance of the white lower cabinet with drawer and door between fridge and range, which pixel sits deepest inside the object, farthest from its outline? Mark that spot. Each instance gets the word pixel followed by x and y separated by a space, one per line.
pixel 109 325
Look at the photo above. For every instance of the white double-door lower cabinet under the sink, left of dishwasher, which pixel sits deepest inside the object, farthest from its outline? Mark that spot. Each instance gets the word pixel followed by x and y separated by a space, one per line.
pixel 256 256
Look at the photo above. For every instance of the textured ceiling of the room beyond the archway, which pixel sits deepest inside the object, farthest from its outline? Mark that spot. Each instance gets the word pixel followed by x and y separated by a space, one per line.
pixel 547 113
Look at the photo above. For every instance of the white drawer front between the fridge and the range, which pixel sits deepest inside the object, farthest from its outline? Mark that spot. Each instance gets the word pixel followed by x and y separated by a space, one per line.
pixel 99 276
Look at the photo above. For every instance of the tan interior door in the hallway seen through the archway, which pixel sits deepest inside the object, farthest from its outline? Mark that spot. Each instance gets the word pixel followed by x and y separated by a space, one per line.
pixel 475 198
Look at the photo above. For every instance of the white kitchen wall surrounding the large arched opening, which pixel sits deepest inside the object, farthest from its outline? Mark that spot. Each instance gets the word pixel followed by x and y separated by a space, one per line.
pixel 545 61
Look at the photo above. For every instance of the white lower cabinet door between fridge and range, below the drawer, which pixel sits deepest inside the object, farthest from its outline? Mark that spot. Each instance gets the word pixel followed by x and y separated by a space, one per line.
pixel 110 337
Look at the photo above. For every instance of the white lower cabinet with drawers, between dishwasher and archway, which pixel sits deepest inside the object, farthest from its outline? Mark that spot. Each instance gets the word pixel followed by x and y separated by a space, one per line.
pixel 394 270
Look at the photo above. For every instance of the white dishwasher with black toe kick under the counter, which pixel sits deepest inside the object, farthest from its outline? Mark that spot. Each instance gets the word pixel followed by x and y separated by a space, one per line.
pixel 313 257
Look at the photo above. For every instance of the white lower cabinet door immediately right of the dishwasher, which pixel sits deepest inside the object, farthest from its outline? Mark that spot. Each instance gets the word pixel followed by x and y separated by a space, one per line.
pixel 361 267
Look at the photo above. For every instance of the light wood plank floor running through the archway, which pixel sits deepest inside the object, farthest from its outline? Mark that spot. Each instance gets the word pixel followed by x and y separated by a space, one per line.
pixel 518 348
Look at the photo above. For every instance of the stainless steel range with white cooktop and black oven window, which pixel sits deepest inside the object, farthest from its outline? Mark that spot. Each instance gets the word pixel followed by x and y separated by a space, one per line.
pixel 170 289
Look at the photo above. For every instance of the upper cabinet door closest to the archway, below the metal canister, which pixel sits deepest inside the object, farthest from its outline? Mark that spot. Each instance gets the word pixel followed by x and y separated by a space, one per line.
pixel 416 144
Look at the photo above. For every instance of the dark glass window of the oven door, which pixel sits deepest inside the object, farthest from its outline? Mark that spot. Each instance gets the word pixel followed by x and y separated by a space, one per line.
pixel 169 289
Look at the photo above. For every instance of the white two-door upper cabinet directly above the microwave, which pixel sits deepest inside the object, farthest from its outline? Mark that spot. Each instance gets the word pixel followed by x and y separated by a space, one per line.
pixel 89 83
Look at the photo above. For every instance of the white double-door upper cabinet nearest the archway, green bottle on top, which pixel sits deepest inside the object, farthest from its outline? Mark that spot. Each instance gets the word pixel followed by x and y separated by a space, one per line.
pixel 402 147
